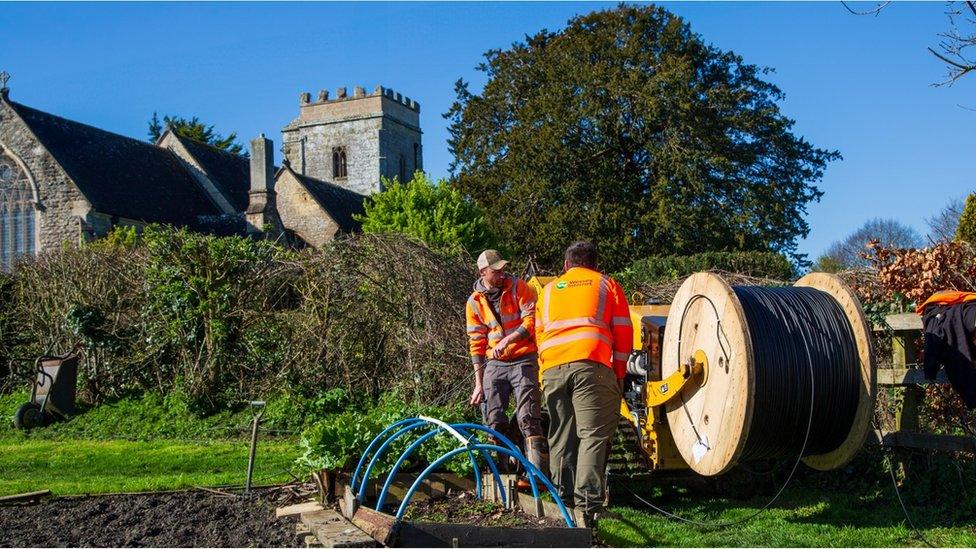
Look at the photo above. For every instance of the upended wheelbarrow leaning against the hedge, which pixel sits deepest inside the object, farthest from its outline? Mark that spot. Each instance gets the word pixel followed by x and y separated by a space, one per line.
pixel 53 391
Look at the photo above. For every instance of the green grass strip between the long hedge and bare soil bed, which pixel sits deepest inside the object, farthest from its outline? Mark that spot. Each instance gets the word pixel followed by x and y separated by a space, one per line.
pixel 142 444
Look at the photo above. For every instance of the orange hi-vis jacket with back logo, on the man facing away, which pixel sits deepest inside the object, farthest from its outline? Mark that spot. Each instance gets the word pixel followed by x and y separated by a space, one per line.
pixel 583 315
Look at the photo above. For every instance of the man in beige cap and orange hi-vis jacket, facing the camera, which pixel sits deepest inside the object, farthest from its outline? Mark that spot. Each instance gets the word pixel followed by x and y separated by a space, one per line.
pixel 501 333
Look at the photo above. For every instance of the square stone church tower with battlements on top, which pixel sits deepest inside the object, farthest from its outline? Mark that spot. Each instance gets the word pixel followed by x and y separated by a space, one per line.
pixel 351 141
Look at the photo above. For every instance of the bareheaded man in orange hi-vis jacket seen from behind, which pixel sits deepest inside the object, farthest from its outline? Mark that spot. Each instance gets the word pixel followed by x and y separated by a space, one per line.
pixel 585 336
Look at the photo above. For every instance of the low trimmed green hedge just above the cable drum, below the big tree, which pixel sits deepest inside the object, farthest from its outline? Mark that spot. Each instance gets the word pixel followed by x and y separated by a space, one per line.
pixel 653 270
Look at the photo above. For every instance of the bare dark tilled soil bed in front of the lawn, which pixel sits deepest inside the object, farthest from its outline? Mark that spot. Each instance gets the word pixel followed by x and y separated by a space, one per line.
pixel 185 519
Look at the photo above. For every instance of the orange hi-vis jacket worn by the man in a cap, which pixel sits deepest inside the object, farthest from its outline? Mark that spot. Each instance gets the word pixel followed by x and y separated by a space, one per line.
pixel 516 314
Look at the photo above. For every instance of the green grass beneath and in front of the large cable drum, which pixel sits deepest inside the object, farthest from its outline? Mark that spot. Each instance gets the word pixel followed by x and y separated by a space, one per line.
pixel 805 516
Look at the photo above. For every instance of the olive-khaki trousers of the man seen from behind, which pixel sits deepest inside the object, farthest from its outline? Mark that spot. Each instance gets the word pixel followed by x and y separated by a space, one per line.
pixel 583 400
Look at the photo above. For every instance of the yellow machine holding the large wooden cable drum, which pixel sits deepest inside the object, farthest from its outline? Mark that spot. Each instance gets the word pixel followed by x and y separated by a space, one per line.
pixel 645 392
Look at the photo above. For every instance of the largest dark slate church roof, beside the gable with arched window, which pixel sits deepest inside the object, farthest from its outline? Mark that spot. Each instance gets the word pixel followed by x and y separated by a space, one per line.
pixel 119 175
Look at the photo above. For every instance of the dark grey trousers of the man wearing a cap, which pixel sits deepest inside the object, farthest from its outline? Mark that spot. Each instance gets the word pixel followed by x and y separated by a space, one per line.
pixel 500 380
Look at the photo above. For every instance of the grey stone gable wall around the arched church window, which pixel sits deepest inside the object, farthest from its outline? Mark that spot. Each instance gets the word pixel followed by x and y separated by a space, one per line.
pixel 63 212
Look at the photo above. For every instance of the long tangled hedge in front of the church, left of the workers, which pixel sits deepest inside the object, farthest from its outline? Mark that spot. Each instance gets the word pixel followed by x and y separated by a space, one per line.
pixel 226 319
